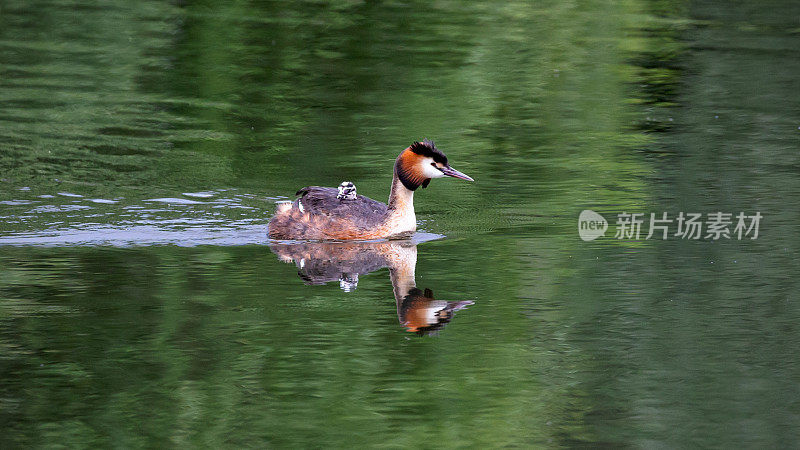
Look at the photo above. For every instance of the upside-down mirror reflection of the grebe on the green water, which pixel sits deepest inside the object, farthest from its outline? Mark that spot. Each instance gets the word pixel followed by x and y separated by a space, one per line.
pixel 323 262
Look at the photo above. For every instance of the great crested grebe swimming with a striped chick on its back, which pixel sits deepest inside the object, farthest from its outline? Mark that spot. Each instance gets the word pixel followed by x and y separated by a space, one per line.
pixel 329 213
